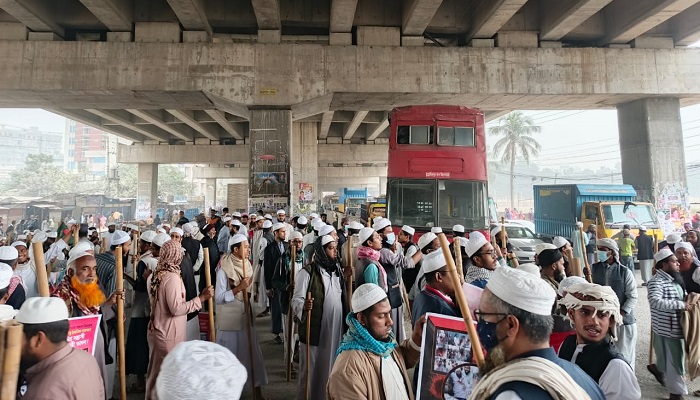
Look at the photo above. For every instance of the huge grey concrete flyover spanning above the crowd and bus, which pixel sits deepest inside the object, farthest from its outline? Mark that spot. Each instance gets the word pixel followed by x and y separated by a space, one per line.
pixel 309 73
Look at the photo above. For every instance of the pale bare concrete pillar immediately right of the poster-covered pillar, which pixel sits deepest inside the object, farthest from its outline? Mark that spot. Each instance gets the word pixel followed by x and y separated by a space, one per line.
pixel 304 167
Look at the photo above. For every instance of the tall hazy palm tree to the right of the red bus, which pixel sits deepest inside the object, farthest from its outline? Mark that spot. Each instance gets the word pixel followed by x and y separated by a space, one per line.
pixel 517 141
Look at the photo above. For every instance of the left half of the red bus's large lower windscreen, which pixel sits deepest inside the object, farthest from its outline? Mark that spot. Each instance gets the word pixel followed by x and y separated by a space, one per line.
pixel 412 201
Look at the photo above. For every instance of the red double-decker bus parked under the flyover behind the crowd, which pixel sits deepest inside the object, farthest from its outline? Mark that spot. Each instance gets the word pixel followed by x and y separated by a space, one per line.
pixel 437 168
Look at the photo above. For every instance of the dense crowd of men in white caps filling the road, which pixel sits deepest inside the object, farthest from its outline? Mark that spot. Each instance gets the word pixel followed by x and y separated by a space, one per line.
pixel 338 301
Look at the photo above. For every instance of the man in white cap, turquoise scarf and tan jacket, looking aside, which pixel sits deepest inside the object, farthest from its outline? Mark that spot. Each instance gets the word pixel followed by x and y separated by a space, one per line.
pixel 370 363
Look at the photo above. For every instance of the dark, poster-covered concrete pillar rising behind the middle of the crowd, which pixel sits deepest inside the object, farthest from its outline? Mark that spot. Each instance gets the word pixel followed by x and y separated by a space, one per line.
pixel 269 138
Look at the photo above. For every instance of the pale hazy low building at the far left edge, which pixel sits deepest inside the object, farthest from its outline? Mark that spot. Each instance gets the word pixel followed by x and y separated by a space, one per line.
pixel 18 143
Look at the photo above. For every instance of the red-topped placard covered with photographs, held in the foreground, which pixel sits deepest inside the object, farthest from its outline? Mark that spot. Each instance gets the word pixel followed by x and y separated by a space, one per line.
pixel 447 369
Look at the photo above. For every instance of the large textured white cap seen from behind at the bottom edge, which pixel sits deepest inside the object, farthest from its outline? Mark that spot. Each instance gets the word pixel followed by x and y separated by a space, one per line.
pixel 200 370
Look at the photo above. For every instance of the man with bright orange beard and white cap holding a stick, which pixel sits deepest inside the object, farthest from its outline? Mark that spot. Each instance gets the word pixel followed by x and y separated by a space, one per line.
pixel 83 296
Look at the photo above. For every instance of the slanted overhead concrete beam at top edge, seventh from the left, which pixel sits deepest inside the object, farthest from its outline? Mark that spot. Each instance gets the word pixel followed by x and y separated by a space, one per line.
pixel 489 17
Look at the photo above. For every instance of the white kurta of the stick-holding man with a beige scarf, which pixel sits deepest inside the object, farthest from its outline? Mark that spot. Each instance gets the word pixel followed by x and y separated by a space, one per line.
pixel 237 341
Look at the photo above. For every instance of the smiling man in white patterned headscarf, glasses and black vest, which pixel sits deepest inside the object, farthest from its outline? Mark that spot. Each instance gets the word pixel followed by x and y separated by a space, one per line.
pixel 594 311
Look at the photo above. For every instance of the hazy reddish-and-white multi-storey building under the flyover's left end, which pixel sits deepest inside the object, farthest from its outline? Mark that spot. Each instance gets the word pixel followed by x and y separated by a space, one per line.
pixel 89 149
